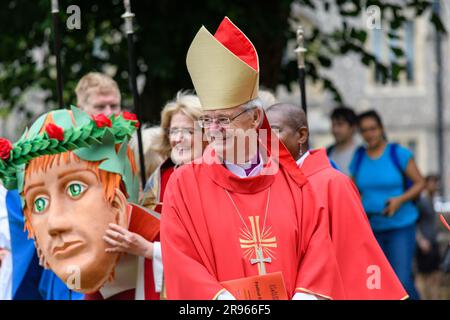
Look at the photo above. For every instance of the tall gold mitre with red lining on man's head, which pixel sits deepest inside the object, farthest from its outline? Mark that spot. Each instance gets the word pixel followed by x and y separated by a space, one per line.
pixel 224 68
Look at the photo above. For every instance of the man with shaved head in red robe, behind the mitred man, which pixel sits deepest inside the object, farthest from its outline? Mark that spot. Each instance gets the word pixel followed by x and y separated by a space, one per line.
pixel 365 271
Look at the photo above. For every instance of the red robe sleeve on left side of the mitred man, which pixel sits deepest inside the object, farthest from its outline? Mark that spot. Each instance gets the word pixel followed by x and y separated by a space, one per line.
pixel 187 269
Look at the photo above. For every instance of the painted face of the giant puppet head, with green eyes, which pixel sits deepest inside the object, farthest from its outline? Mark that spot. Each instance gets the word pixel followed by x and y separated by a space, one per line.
pixel 69 214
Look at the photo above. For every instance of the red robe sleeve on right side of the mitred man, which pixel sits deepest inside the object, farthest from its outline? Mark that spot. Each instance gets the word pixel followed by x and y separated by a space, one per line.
pixel 318 272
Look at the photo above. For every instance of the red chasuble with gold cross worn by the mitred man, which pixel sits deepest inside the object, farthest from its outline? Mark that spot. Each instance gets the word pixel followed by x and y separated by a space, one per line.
pixel 204 240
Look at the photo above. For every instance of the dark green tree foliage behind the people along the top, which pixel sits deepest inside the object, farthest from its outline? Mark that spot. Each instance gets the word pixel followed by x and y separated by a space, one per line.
pixel 164 30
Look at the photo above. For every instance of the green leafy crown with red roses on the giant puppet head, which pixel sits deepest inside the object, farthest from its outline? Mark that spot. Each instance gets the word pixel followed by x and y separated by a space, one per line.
pixel 90 138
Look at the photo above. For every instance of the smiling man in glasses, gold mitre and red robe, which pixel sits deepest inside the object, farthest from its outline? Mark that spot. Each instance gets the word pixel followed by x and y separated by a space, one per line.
pixel 242 210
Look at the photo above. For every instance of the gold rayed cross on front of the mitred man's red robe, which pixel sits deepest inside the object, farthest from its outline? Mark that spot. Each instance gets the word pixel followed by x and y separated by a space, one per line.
pixel 257 244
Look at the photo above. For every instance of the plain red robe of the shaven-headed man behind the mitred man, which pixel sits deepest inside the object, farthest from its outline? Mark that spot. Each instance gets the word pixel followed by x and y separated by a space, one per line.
pixel 365 271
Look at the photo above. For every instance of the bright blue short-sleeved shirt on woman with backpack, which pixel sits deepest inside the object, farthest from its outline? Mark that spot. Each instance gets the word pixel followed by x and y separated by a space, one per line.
pixel 378 180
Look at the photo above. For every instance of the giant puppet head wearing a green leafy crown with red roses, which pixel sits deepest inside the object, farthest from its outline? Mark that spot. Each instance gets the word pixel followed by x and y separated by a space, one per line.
pixel 76 175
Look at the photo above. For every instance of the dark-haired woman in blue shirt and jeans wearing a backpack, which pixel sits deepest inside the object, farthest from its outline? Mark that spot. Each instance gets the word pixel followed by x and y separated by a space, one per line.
pixel 389 183
